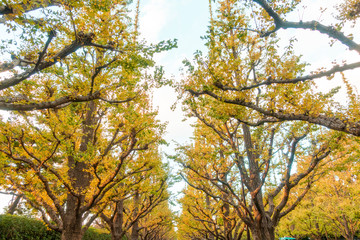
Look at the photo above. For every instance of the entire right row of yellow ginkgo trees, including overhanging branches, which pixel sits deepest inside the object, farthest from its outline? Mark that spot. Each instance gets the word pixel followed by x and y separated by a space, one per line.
pixel 264 135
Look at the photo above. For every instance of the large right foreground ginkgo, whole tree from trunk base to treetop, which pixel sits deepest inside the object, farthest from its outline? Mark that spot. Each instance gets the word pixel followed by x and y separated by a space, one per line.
pixel 269 156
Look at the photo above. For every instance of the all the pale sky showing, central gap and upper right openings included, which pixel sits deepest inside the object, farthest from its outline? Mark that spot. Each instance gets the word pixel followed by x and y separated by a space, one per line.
pixel 186 21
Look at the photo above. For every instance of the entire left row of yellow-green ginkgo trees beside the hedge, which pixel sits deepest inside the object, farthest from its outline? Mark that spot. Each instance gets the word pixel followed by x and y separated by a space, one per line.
pixel 90 153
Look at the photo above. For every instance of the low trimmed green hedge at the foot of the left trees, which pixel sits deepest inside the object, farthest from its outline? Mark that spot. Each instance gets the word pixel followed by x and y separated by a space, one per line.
pixel 14 227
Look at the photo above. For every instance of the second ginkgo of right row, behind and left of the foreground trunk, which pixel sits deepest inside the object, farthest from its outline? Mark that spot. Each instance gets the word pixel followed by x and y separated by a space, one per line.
pixel 206 212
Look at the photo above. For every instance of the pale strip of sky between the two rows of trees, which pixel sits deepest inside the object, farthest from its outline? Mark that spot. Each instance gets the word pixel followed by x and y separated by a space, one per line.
pixel 186 21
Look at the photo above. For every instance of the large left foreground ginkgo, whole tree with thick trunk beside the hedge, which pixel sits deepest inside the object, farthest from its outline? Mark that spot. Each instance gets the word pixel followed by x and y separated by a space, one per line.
pixel 65 160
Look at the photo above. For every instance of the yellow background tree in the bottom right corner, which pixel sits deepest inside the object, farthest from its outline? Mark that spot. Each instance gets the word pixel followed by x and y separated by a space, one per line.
pixel 331 208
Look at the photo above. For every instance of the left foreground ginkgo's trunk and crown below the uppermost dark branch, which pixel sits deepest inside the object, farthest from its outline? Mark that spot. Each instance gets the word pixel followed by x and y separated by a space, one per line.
pixel 65 161
